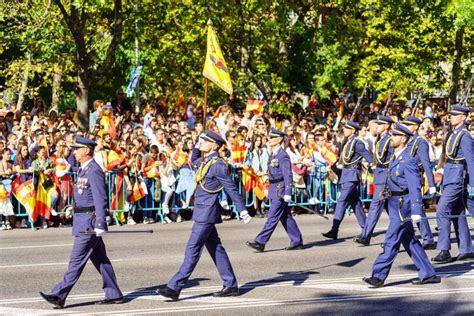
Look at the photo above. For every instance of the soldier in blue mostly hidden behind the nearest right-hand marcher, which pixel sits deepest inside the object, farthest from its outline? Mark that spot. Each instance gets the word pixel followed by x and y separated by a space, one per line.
pixel 419 148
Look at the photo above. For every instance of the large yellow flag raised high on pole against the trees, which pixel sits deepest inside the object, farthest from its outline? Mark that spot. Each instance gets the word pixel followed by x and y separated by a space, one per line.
pixel 215 68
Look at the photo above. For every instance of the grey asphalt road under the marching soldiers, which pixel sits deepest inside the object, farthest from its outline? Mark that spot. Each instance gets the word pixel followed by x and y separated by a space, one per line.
pixel 323 278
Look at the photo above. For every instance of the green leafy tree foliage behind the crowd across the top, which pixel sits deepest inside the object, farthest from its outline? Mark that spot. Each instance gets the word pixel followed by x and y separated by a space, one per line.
pixel 304 46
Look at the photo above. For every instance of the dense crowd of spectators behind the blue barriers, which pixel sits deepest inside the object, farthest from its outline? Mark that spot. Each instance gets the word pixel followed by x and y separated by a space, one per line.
pixel 155 144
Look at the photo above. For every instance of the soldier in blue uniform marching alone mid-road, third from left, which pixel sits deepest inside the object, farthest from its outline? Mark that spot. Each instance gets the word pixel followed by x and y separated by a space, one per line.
pixel 280 191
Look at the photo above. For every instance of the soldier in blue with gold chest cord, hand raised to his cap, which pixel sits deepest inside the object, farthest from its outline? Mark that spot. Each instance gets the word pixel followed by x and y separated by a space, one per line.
pixel 212 176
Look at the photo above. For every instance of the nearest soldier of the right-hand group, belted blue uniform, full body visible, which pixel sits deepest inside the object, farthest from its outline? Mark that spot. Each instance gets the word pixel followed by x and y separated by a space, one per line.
pixel 404 204
